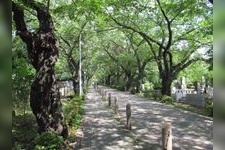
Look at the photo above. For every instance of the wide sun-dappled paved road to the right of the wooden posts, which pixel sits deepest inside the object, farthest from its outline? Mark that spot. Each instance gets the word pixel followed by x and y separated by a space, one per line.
pixel 190 130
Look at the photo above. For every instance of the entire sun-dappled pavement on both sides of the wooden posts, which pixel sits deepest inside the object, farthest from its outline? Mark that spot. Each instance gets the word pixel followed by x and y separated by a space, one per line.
pixel 190 131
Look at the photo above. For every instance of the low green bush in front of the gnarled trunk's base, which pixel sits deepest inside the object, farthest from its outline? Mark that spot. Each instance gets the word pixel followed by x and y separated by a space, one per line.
pixel 48 141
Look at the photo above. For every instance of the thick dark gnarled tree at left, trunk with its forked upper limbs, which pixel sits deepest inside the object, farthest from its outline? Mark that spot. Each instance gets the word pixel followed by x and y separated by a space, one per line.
pixel 43 53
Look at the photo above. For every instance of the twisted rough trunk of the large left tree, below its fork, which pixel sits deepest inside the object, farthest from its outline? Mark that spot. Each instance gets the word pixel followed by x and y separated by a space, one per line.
pixel 44 95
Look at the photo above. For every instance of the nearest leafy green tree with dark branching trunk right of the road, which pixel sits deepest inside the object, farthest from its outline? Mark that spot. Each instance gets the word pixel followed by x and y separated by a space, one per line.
pixel 167 31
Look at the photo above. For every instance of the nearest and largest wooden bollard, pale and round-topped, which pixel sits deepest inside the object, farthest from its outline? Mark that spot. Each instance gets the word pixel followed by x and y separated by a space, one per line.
pixel 166 136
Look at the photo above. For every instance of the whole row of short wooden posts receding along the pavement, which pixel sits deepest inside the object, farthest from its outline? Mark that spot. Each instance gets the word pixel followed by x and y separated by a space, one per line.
pixel 166 127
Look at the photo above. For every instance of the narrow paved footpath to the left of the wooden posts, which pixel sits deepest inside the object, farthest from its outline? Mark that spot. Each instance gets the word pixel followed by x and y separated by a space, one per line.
pixel 100 131
